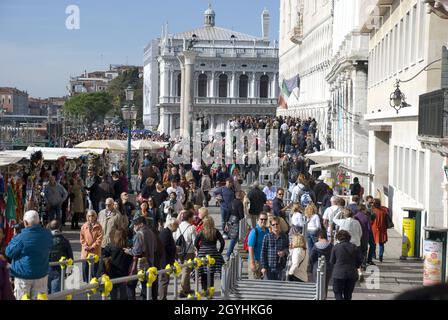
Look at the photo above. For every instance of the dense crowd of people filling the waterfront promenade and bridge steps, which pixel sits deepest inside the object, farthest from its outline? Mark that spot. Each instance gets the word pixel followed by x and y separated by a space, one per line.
pixel 169 219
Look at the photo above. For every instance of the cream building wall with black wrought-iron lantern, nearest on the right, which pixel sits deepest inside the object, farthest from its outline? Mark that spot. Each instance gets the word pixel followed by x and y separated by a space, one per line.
pixel 407 40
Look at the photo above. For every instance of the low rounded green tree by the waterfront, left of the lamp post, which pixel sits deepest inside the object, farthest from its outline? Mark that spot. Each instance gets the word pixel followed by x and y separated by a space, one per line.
pixel 91 106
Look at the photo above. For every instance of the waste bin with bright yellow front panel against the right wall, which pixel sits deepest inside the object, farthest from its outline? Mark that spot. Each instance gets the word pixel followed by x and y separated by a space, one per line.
pixel 411 233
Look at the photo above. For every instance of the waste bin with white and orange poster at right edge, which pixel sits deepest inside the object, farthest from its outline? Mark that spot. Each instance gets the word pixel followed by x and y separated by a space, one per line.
pixel 434 252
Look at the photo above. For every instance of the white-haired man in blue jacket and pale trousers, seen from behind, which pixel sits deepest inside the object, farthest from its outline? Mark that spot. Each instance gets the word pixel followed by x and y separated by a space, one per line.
pixel 29 252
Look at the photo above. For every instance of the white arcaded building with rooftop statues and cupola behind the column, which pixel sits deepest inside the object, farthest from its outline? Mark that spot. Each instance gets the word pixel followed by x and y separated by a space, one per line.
pixel 235 74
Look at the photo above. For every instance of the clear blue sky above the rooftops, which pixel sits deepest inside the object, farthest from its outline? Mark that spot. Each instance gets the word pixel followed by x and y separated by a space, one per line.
pixel 38 53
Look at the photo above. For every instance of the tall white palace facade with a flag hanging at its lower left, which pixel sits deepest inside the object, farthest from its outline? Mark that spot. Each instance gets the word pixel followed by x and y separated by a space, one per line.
pixel 306 32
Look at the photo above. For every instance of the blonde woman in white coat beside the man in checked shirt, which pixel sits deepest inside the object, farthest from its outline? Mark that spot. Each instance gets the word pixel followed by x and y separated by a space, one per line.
pixel 299 260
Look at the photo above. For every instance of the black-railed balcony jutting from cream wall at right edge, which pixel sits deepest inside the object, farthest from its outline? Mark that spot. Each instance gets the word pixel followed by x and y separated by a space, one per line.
pixel 433 121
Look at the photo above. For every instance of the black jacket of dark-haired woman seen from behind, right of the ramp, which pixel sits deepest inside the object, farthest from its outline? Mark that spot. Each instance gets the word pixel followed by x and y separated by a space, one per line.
pixel 346 258
